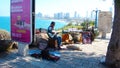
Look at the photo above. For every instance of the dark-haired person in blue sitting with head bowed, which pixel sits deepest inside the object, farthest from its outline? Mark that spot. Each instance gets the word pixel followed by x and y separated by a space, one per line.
pixel 53 34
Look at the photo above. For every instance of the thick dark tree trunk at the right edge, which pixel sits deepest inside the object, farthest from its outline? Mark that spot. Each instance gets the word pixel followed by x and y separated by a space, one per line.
pixel 113 51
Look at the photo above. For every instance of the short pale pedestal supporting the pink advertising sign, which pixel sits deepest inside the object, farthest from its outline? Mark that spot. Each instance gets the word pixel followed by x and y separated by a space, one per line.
pixel 23 49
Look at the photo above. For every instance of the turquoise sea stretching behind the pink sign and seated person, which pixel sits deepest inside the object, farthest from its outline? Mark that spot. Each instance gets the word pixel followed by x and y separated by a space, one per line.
pixel 39 23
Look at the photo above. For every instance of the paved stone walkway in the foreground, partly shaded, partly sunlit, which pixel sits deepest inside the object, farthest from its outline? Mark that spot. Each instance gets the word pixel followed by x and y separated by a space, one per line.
pixel 89 57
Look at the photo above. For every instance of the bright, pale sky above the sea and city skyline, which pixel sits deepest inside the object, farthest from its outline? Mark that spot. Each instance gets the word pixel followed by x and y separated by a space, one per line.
pixel 49 7
